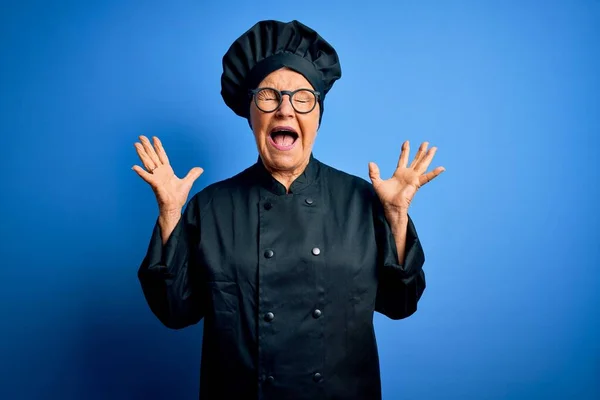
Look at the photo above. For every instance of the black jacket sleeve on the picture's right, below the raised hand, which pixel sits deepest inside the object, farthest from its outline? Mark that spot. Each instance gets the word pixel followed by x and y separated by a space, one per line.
pixel 400 286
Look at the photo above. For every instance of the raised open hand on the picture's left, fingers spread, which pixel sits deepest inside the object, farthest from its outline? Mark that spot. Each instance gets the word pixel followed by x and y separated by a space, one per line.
pixel 171 192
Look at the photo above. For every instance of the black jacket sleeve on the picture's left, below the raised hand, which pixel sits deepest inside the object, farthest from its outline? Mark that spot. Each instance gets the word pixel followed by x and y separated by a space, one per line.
pixel 169 275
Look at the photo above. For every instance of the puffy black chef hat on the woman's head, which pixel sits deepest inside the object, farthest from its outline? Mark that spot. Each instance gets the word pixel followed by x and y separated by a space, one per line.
pixel 268 46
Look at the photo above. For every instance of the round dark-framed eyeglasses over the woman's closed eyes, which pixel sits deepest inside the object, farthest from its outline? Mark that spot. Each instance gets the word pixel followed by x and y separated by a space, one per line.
pixel 269 99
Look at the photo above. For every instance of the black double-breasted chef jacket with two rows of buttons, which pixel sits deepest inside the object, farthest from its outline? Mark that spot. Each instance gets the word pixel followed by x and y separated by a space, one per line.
pixel 287 284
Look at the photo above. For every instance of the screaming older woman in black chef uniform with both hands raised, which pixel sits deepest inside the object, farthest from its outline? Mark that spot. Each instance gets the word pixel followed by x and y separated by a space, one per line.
pixel 286 261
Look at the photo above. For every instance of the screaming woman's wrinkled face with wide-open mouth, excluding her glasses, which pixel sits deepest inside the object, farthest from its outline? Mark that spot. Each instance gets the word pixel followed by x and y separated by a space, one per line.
pixel 281 151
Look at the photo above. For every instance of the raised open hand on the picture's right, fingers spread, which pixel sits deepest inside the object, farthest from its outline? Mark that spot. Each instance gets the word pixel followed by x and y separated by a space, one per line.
pixel 397 192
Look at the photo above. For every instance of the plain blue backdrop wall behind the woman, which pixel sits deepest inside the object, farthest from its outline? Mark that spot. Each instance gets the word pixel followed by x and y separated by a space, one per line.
pixel 508 90
